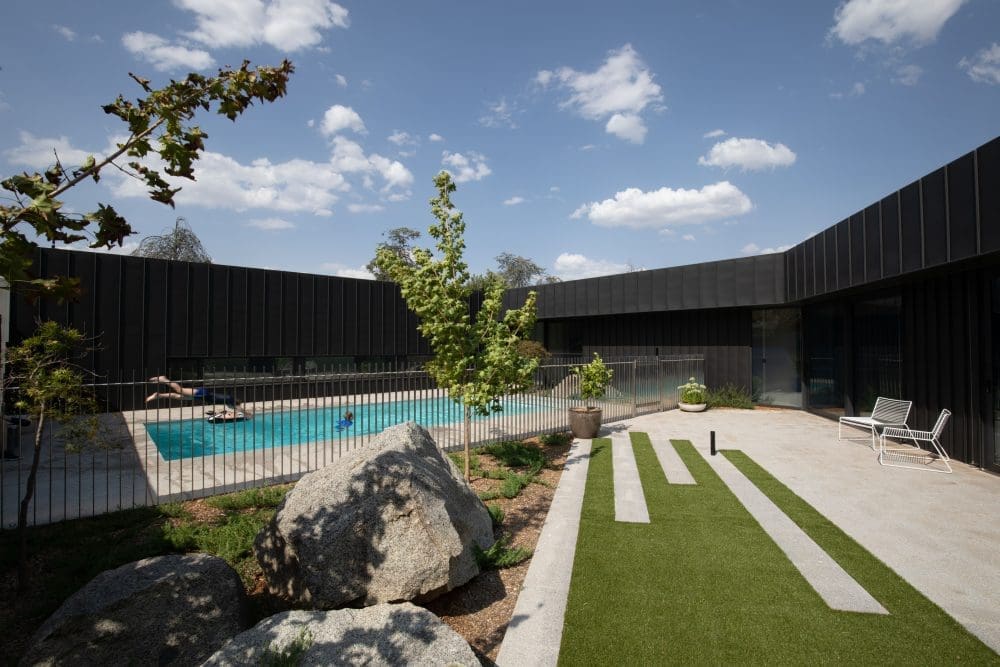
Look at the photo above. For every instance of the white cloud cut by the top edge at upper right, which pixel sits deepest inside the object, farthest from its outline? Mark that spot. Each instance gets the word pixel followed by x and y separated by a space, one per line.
pixel 890 21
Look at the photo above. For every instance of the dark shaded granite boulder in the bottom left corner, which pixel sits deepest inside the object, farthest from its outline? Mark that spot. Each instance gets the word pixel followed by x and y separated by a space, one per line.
pixel 169 610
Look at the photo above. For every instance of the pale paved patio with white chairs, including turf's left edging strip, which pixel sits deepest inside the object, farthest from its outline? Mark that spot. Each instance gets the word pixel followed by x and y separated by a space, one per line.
pixel 938 532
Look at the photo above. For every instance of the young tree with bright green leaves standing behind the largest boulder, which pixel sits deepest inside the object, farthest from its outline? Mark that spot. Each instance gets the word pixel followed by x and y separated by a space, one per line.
pixel 477 362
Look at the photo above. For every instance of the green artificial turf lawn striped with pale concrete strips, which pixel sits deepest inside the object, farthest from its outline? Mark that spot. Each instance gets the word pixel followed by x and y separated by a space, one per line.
pixel 703 583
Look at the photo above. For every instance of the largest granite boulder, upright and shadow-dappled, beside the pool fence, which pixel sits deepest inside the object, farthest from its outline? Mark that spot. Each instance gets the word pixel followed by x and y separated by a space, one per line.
pixel 389 522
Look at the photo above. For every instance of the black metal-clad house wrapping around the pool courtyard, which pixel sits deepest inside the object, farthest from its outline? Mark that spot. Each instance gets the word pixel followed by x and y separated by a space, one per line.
pixel 900 299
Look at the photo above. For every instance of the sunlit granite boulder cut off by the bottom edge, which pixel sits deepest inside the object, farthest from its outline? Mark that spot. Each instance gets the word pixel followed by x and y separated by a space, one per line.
pixel 386 634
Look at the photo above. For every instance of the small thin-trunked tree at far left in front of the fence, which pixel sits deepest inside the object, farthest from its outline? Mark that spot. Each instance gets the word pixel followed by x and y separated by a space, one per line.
pixel 49 387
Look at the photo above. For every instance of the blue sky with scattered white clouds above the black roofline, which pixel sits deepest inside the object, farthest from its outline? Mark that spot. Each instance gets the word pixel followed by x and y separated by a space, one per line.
pixel 588 137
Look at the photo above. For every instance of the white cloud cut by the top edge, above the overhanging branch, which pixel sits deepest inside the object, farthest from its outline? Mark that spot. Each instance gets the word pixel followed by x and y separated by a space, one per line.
pixel 287 25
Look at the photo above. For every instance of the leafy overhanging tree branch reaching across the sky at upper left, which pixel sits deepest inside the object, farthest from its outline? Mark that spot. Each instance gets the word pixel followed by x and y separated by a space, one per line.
pixel 158 124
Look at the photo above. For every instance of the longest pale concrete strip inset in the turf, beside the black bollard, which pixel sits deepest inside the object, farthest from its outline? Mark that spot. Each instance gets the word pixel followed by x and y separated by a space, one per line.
pixel 837 588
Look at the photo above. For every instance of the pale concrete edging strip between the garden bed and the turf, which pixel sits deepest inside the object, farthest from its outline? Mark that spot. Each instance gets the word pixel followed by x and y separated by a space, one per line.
pixel 535 631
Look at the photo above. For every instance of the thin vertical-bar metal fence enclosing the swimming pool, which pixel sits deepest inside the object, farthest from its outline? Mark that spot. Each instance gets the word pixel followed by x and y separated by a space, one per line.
pixel 153 449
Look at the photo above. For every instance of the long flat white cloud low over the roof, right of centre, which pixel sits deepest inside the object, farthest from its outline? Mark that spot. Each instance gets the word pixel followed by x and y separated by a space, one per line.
pixel 662 208
